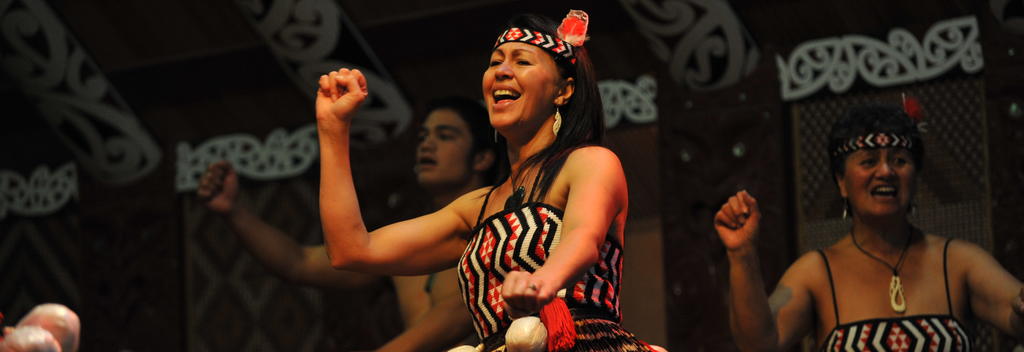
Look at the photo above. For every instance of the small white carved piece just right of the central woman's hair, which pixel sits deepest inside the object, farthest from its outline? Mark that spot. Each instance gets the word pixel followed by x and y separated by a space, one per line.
pixel 635 103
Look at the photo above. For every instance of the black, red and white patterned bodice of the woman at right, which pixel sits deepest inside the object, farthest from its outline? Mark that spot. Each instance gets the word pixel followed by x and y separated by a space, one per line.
pixel 918 334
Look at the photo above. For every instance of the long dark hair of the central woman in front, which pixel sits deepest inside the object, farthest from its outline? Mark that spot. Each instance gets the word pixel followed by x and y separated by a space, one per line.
pixel 583 116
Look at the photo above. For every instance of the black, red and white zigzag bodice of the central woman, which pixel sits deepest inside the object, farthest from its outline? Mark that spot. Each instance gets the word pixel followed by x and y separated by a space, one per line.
pixel 523 240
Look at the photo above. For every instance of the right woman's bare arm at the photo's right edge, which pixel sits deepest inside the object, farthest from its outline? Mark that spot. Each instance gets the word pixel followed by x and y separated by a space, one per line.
pixel 996 295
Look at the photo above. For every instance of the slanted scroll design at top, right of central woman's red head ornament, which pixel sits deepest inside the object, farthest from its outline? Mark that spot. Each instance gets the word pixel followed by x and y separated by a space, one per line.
pixel 693 45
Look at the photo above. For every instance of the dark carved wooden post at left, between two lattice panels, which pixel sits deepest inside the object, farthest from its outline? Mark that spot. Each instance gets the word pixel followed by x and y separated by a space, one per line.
pixel 132 279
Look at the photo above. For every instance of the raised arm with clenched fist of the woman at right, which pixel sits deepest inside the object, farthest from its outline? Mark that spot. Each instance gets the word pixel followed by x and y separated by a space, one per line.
pixel 760 323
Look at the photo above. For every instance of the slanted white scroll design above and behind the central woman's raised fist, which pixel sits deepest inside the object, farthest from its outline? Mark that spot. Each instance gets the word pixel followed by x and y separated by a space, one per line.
pixel 309 37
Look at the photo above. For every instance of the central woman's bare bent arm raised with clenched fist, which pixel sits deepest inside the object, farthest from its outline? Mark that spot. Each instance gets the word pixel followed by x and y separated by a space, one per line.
pixel 424 245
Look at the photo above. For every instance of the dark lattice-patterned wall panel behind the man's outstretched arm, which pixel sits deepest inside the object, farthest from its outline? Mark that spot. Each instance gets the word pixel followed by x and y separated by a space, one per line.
pixel 233 302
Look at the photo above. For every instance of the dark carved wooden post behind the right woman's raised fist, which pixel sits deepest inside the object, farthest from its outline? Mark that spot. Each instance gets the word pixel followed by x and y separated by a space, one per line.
pixel 713 146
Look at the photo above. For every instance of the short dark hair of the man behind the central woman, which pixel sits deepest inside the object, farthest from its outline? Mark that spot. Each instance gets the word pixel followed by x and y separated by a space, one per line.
pixel 476 116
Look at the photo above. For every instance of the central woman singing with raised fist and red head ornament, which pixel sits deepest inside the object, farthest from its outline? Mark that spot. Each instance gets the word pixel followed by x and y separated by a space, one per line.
pixel 557 224
